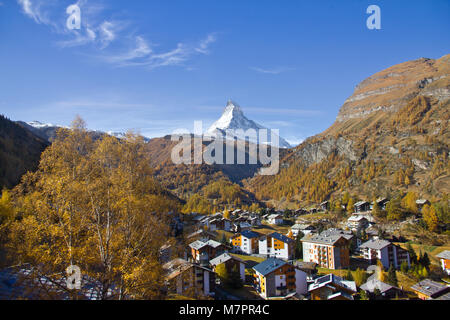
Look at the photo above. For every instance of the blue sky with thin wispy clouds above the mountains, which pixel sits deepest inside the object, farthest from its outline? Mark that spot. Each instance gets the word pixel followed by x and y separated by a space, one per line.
pixel 156 66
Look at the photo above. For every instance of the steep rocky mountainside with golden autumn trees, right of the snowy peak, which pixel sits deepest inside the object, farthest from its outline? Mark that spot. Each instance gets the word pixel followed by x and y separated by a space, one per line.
pixel 392 135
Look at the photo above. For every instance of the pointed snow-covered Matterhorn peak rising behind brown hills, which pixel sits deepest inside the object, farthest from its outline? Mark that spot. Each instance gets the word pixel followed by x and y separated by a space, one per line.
pixel 232 119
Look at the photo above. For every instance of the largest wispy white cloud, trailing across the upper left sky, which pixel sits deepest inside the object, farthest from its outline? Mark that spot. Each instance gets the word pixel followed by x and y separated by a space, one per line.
pixel 101 32
